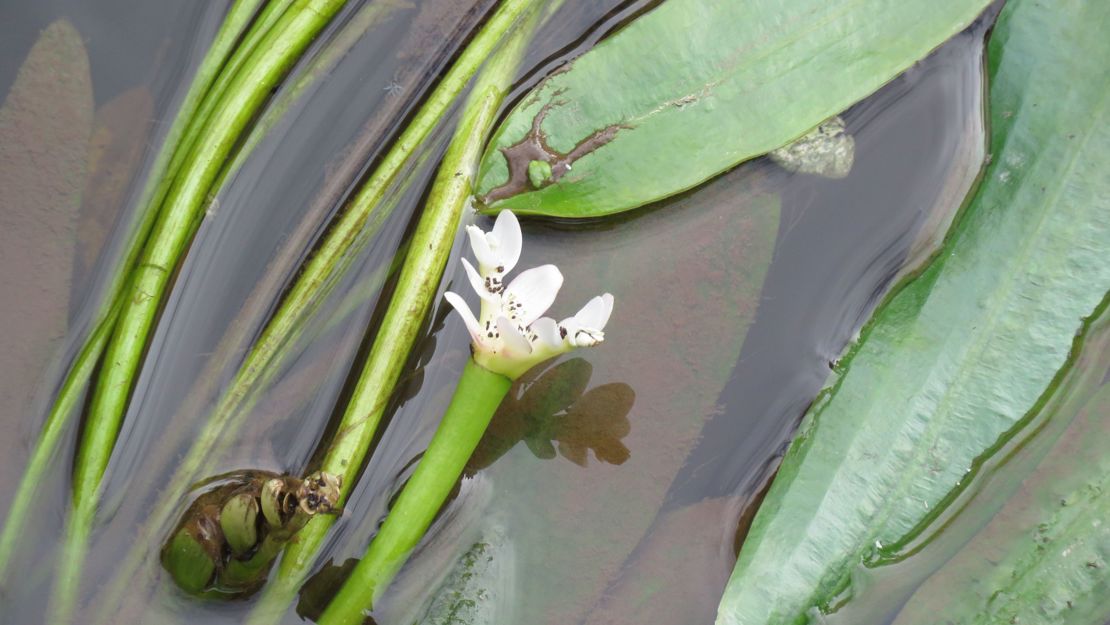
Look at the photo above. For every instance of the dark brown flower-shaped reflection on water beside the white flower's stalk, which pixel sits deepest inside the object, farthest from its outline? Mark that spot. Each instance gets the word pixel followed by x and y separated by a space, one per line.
pixel 550 408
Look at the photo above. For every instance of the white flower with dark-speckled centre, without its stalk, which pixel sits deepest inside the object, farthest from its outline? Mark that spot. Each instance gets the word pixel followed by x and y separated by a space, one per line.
pixel 510 337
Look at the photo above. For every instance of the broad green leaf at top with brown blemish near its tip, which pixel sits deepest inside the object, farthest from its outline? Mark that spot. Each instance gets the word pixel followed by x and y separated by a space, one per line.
pixel 697 87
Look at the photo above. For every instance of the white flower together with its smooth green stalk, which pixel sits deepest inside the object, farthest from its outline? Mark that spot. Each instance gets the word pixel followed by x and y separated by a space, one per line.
pixel 508 339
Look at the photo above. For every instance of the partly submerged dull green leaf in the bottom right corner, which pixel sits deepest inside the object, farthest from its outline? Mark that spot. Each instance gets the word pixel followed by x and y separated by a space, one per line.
pixel 1045 558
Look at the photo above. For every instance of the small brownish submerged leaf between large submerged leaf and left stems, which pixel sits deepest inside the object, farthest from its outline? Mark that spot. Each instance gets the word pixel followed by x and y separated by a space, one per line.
pixel 119 135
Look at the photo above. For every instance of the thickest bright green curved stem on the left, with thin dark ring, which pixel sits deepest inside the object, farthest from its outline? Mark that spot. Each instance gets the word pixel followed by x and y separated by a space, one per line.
pixel 174 229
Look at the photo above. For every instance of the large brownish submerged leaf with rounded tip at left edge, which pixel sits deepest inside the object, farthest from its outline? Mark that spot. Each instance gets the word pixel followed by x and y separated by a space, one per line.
pixel 45 126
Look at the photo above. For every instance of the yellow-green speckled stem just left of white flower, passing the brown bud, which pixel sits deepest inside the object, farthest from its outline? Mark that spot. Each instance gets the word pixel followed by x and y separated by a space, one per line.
pixel 419 281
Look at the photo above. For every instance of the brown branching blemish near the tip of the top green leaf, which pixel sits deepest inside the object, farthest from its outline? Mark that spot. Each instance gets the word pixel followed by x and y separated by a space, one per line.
pixel 534 147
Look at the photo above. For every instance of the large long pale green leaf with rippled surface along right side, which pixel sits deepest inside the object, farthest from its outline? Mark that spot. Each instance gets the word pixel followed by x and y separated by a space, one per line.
pixel 960 356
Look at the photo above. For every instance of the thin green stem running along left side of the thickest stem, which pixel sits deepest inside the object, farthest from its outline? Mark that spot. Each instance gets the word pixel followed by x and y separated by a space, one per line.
pixel 80 371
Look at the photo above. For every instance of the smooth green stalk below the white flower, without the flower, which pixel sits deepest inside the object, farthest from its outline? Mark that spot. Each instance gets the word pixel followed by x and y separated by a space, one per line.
pixel 477 398
